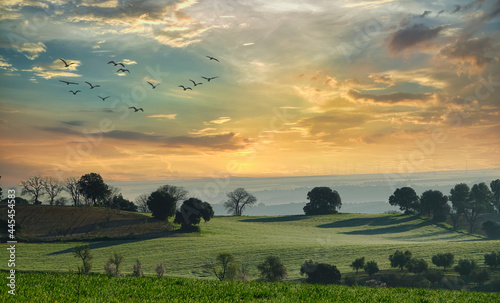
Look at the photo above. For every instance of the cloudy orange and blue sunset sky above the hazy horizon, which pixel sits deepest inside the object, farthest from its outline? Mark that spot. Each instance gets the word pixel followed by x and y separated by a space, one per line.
pixel 303 88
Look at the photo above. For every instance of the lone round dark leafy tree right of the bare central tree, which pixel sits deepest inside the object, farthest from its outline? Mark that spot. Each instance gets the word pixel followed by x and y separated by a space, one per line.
pixel 322 201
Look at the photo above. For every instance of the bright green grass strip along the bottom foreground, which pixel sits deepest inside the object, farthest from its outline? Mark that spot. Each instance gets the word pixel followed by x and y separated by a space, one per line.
pixel 44 287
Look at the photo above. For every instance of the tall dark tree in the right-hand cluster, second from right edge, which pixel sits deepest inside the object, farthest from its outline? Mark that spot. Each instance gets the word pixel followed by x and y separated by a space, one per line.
pixel 479 202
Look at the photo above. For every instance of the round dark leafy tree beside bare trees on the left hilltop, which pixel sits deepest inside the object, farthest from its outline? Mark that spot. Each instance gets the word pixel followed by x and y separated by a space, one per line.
pixel 93 189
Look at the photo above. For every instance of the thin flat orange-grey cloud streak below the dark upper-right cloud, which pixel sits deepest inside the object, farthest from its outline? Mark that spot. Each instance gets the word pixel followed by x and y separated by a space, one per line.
pixel 392 98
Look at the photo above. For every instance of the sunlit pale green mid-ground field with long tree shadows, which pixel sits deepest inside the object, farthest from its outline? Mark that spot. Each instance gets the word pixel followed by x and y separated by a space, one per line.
pixel 335 239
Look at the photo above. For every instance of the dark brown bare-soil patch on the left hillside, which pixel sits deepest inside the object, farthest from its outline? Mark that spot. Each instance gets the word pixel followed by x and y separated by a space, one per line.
pixel 51 223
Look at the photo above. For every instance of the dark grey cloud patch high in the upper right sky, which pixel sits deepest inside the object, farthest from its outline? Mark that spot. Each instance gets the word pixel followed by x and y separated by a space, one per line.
pixel 412 36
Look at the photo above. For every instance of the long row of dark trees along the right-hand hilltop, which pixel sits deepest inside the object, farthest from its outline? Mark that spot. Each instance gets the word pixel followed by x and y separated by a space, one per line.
pixel 463 202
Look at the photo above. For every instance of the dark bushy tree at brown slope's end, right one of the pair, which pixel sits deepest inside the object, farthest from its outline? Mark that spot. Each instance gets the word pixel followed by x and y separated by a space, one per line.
pixel 191 212
